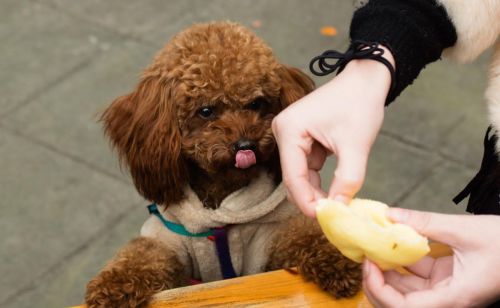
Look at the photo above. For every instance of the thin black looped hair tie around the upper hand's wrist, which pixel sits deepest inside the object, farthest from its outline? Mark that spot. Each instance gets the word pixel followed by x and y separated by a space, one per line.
pixel 357 50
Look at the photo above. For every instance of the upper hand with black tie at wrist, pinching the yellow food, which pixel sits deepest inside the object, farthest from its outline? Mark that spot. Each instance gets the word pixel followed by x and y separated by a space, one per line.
pixel 342 117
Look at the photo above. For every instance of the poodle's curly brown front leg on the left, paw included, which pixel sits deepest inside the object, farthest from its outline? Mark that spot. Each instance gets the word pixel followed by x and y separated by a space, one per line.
pixel 142 268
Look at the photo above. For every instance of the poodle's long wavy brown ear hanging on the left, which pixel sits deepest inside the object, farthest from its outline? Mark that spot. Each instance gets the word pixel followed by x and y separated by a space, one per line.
pixel 144 130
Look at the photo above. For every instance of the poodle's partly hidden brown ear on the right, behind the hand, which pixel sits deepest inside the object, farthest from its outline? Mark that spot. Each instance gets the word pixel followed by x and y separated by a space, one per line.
pixel 294 85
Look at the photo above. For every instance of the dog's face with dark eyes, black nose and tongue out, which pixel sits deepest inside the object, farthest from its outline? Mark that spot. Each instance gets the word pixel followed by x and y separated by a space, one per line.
pixel 228 134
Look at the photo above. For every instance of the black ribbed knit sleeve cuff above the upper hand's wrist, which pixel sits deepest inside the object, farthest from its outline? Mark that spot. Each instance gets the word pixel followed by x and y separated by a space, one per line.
pixel 416 32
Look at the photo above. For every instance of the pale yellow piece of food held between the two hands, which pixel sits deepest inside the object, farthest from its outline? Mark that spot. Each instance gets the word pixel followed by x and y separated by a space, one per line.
pixel 361 229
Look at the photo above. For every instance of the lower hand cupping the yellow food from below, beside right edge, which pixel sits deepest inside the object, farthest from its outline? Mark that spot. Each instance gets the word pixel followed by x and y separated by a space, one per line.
pixel 466 279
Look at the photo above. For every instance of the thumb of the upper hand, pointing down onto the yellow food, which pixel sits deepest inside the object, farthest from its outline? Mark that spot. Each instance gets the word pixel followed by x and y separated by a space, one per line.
pixel 349 176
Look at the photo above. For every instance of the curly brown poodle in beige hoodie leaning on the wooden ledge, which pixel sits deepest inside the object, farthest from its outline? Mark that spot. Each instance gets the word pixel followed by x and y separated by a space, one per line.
pixel 196 136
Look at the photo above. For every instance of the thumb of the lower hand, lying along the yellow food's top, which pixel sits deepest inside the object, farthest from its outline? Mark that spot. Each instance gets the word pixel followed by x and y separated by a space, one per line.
pixel 447 229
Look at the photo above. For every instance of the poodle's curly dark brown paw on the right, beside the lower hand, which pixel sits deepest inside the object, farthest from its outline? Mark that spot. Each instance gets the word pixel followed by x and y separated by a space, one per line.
pixel 331 271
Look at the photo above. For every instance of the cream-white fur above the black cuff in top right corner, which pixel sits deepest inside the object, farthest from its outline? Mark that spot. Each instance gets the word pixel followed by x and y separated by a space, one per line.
pixel 477 23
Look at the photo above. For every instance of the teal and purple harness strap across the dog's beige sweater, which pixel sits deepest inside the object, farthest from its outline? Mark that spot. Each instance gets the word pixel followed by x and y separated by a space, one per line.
pixel 219 236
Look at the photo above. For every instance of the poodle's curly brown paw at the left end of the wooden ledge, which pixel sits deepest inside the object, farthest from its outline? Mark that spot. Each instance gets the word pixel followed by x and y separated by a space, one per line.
pixel 111 289
